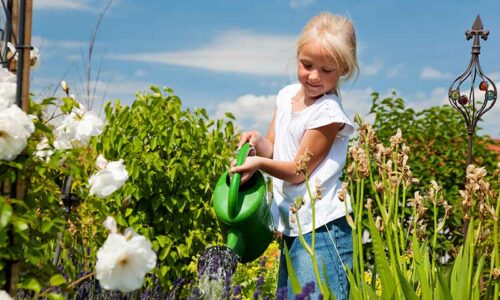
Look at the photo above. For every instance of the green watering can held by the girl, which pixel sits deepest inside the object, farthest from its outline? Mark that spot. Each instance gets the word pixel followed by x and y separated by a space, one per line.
pixel 243 212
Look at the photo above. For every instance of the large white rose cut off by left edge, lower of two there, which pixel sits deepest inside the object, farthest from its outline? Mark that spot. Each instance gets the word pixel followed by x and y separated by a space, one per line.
pixel 15 129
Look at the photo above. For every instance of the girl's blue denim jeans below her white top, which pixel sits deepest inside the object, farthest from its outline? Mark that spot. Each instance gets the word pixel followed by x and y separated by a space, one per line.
pixel 333 253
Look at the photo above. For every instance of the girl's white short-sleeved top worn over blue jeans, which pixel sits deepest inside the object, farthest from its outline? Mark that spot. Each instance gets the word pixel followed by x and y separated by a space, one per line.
pixel 289 128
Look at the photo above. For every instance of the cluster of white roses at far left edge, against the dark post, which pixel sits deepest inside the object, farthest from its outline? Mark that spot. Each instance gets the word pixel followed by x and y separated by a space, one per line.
pixel 15 125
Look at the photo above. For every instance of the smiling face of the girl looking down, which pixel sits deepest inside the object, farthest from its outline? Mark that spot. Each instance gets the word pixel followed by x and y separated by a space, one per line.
pixel 317 71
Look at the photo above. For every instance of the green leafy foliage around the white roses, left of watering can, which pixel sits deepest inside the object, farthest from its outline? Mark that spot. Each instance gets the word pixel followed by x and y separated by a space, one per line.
pixel 173 156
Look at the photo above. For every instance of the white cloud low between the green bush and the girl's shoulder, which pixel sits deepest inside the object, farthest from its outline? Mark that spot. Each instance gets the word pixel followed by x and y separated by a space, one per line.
pixel 251 111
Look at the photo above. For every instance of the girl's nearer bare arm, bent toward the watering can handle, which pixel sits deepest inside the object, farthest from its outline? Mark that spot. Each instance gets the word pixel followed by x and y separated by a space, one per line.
pixel 317 141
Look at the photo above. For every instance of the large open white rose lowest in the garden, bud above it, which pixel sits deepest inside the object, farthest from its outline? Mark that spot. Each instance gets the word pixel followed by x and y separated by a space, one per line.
pixel 124 259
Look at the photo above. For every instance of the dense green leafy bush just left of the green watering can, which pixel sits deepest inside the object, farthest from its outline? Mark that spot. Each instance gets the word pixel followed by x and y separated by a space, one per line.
pixel 174 157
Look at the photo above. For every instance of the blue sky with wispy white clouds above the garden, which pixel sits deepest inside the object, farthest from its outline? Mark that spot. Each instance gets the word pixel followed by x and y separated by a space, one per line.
pixel 226 55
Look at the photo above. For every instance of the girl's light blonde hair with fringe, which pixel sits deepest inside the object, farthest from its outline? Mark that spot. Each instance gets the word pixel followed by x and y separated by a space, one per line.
pixel 337 37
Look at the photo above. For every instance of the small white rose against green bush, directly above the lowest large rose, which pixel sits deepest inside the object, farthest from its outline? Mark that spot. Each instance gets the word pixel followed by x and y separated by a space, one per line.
pixel 109 179
